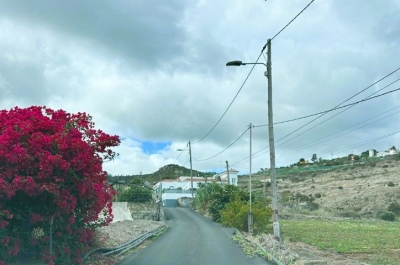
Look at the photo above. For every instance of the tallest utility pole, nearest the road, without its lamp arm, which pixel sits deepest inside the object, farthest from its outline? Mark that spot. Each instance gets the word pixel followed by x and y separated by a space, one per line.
pixel 275 218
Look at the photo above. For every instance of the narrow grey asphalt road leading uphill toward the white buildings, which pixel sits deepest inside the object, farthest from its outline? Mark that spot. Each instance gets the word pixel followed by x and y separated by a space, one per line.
pixel 192 239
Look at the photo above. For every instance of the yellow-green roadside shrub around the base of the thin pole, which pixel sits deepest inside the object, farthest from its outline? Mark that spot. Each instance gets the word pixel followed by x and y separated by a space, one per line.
pixel 235 214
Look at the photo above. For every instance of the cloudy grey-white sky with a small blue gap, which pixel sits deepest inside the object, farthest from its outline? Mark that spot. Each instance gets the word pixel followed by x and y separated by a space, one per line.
pixel 153 72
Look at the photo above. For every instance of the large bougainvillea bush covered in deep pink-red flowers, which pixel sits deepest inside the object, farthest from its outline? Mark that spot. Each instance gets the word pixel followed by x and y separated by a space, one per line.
pixel 51 178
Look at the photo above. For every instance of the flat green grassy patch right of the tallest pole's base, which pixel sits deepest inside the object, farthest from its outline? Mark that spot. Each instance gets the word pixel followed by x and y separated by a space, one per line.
pixel 350 236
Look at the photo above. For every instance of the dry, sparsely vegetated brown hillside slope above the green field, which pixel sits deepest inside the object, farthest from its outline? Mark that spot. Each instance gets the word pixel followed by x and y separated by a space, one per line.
pixel 360 190
